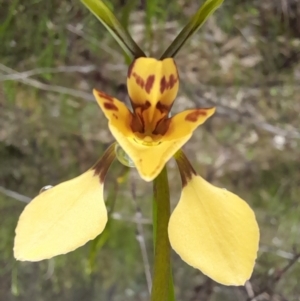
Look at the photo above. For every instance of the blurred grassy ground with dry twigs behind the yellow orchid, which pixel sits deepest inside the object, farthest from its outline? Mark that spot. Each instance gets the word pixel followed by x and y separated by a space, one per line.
pixel 245 61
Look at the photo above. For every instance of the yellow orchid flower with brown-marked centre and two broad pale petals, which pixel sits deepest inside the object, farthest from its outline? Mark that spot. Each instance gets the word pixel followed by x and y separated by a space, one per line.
pixel 211 228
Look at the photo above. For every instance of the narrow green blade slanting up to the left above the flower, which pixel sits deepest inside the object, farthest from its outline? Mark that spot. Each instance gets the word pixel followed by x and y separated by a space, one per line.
pixel 119 33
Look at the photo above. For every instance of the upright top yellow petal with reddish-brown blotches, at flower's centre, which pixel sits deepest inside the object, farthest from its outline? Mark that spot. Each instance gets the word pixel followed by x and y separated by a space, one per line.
pixel 152 87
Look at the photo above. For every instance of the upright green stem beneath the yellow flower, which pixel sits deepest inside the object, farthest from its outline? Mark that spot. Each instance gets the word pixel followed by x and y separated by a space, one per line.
pixel 162 287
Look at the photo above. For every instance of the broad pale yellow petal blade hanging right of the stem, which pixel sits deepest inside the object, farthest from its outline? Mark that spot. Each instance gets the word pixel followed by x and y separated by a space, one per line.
pixel 215 231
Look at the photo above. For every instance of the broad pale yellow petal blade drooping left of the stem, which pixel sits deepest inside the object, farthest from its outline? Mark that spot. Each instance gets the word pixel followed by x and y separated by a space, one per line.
pixel 61 219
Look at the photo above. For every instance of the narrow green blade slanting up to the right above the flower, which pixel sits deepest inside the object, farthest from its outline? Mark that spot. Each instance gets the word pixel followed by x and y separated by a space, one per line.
pixel 193 25
